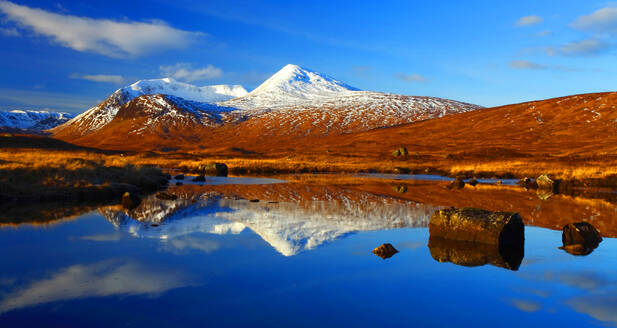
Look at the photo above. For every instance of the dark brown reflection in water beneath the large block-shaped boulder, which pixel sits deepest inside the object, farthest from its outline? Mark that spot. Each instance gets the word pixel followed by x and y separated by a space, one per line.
pixel 470 254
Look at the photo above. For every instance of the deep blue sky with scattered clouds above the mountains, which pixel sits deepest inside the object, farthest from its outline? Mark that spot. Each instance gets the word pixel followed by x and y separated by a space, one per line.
pixel 69 55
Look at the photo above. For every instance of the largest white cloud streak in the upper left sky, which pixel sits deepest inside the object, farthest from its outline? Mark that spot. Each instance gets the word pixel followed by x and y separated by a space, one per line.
pixel 102 36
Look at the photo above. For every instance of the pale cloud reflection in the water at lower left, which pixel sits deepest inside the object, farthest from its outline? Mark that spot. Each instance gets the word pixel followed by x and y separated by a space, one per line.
pixel 100 279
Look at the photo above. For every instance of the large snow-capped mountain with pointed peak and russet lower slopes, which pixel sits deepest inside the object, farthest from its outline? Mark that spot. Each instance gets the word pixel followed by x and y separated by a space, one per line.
pixel 294 102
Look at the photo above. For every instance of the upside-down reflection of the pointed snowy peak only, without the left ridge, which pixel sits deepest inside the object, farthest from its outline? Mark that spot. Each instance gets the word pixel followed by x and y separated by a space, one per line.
pixel 291 229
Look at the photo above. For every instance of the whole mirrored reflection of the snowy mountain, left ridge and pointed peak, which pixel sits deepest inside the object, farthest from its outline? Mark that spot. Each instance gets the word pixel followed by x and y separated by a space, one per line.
pixel 290 227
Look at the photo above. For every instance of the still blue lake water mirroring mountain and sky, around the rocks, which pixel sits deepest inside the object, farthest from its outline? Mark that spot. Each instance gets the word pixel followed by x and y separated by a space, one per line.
pixel 301 256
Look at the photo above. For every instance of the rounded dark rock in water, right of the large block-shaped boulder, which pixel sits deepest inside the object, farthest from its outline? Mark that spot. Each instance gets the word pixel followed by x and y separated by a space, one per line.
pixel 580 238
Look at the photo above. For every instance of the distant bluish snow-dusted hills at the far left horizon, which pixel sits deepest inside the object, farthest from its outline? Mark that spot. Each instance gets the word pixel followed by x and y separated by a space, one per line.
pixel 30 120
